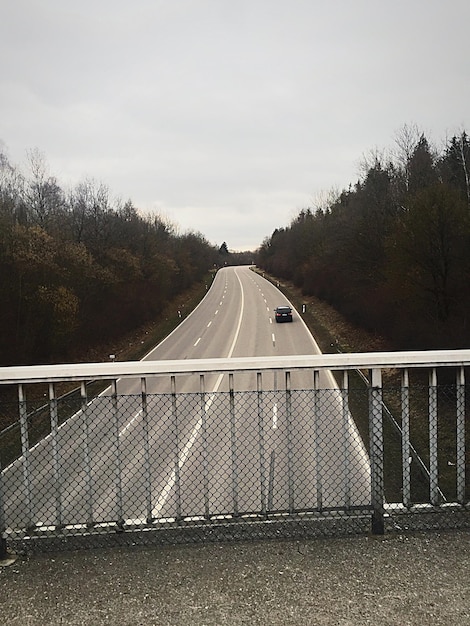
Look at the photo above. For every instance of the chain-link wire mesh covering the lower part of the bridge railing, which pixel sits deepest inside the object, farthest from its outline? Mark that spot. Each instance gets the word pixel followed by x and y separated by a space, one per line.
pixel 173 467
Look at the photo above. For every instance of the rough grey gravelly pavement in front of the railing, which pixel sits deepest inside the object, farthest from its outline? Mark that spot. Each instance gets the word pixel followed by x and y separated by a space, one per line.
pixel 400 579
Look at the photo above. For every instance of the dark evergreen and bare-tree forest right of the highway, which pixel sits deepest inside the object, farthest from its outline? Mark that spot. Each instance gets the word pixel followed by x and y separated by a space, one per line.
pixel 391 253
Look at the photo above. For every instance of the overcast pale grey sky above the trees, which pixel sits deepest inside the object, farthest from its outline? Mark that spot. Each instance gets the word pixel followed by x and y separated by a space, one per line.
pixel 227 116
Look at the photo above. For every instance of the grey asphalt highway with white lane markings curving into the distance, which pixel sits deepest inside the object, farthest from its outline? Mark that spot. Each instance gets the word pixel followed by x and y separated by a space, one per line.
pixel 201 455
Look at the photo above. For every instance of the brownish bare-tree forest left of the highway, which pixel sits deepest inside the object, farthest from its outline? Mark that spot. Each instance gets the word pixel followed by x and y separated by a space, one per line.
pixel 78 268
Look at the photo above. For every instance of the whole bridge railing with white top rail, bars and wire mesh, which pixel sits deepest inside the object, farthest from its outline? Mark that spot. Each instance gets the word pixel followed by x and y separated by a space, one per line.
pixel 231 448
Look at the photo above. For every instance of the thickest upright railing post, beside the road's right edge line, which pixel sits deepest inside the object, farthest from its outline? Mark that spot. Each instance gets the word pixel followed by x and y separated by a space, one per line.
pixel 376 452
